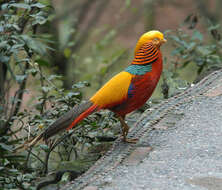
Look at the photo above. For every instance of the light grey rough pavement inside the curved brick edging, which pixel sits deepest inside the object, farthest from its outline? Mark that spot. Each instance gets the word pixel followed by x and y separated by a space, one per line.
pixel 187 157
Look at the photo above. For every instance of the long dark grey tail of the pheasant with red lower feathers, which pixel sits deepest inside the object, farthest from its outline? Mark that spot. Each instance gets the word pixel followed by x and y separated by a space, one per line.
pixel 70 119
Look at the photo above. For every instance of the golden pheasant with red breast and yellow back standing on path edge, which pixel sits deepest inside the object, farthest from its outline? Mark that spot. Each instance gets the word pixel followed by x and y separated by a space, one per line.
pixel 124 92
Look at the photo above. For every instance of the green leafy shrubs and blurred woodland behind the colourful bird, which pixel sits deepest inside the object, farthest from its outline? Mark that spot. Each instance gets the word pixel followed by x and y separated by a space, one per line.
pixel 47 47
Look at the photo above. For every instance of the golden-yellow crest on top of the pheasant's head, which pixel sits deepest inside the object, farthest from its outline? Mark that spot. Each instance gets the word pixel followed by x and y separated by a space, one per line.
pixel 149 37
